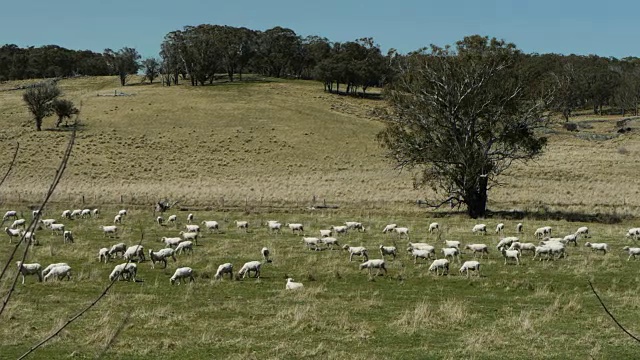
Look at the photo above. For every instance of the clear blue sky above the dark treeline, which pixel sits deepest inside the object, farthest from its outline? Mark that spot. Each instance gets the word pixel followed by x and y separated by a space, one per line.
pixel 605 28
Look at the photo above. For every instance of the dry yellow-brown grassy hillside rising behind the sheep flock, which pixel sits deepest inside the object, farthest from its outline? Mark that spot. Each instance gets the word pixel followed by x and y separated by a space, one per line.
pixel 276 142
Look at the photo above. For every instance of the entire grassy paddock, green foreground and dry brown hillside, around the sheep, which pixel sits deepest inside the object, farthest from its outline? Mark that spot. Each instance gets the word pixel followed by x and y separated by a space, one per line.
pixel 267 147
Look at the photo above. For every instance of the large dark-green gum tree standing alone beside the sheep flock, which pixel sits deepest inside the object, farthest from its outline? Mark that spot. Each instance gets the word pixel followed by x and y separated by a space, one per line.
pixel 462 117
